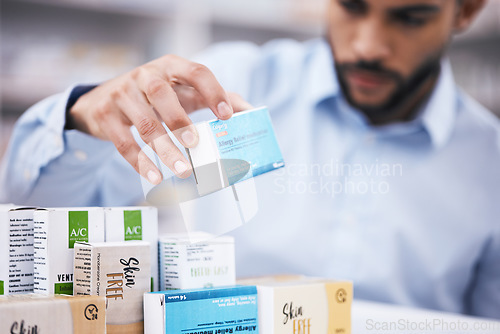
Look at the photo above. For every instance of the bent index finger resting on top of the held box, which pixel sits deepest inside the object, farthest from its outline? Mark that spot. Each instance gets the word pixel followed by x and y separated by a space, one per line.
pixel 182 71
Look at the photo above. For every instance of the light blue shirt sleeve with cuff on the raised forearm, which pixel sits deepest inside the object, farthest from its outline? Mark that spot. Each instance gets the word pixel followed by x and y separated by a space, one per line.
pixel 46 165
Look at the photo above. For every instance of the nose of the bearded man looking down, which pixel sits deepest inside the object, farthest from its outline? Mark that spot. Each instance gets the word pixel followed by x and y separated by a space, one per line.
pixel 371 42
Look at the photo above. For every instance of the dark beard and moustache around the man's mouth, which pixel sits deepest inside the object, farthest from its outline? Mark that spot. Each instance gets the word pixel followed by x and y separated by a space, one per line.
pixel 405 88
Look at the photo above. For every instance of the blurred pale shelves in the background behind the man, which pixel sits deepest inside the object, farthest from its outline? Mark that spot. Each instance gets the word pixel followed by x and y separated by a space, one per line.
pixel 48 45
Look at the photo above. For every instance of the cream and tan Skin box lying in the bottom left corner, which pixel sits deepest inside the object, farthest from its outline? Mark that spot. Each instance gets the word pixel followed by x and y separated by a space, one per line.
pixel 39 314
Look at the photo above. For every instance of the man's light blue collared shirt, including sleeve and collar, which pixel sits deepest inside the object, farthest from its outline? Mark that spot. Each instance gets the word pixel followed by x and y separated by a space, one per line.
pixel 407 211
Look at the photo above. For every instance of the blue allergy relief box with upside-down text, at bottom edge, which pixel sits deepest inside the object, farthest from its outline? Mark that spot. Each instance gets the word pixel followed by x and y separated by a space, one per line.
pixel 207 311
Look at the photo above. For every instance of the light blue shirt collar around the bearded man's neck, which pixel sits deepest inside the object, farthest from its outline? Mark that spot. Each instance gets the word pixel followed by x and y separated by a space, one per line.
pixel 437 115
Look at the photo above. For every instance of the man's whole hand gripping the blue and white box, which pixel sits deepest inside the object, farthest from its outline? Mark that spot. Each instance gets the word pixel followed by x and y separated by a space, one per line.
pixel 163 90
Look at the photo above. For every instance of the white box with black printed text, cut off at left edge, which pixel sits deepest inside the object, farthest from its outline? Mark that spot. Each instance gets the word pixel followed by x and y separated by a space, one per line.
pixel 16 250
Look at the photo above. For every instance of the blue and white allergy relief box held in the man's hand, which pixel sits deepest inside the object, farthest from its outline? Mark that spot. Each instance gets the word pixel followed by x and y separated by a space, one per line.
pixel 234 150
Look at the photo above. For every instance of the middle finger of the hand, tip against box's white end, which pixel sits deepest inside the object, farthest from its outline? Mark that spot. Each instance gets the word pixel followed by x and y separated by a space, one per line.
pixel 164 99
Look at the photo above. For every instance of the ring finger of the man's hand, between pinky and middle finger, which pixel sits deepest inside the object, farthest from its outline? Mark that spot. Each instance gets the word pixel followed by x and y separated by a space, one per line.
pixel 154 134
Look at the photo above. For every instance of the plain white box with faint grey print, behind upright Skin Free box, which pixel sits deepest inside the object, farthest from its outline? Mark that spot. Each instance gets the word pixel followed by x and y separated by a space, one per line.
pixel 187 263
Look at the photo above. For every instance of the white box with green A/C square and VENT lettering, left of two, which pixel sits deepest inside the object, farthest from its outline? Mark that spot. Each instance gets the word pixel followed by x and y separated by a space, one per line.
pixel 56 231
